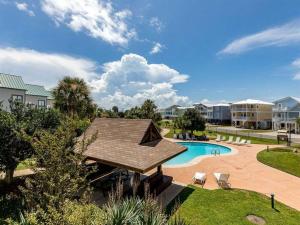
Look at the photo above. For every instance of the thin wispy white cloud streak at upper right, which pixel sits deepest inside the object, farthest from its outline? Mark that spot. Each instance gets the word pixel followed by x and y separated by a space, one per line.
pixel 276 36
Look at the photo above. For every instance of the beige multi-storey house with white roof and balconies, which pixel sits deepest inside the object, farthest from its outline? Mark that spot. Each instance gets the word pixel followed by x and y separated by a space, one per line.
pixel 251 114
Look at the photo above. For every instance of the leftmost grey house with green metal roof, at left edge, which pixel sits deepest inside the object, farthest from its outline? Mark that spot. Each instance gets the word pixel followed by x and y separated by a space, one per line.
pixel 11 87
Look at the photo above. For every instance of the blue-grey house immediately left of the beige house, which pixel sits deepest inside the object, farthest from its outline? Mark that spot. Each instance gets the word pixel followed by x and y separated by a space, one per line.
pixel 219 113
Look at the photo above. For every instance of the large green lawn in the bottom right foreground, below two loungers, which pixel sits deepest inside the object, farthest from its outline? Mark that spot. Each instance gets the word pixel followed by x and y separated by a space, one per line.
pixel 211 207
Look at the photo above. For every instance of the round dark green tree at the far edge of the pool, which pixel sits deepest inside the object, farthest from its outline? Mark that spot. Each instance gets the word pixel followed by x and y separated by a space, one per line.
pixel 196 121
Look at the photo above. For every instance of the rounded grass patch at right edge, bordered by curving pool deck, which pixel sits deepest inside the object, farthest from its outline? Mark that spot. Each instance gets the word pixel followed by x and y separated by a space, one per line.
pixel 283 159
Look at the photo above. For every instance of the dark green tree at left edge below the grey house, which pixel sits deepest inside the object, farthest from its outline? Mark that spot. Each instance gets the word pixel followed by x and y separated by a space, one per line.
pixel 14 148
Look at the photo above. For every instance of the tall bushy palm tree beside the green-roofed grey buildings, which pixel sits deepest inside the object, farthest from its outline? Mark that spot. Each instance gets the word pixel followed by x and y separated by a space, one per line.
pixel 72 96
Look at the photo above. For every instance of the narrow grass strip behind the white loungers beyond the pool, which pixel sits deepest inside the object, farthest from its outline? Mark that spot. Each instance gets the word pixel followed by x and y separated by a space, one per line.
pixel 212 135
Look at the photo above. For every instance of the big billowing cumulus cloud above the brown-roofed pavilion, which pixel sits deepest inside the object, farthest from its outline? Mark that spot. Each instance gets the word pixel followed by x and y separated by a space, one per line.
pixel 131 80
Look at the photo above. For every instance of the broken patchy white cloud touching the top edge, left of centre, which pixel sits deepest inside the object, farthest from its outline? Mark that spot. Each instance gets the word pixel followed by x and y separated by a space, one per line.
pixel 96 17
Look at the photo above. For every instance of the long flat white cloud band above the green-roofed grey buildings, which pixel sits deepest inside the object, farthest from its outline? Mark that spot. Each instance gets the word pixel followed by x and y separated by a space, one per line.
pixel 44 68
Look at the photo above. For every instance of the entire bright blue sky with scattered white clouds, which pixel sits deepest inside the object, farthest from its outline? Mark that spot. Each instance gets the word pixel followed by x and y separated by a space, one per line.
pixel 171 51
